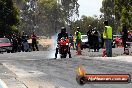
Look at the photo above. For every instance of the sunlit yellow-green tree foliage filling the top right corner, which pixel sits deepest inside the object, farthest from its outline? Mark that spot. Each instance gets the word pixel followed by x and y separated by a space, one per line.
pixel 123 15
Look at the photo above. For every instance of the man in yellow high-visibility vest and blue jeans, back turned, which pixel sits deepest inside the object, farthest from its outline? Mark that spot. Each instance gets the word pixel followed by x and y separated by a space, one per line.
pixel 107 35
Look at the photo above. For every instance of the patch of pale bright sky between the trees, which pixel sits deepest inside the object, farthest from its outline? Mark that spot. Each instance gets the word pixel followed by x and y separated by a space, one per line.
pixel 90 7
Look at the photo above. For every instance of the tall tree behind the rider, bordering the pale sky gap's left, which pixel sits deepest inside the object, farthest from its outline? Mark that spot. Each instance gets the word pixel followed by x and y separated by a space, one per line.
pixel 58 12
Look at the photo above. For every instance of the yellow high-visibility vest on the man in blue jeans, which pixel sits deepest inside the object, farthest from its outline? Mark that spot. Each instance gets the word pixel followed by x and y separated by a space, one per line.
pixel 108 30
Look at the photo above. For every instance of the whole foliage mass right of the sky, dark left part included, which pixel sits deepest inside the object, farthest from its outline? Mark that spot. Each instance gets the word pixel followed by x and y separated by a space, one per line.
pixel 117 12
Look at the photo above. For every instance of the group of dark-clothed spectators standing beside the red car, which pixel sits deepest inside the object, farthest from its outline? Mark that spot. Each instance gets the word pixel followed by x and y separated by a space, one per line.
pixel 20 42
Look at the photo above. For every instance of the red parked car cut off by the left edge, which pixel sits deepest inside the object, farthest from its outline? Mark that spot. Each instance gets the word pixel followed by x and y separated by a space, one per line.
pixel 5 45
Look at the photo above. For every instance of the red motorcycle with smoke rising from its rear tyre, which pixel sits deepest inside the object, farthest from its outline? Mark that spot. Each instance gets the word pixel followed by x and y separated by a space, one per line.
pixel 63 48
